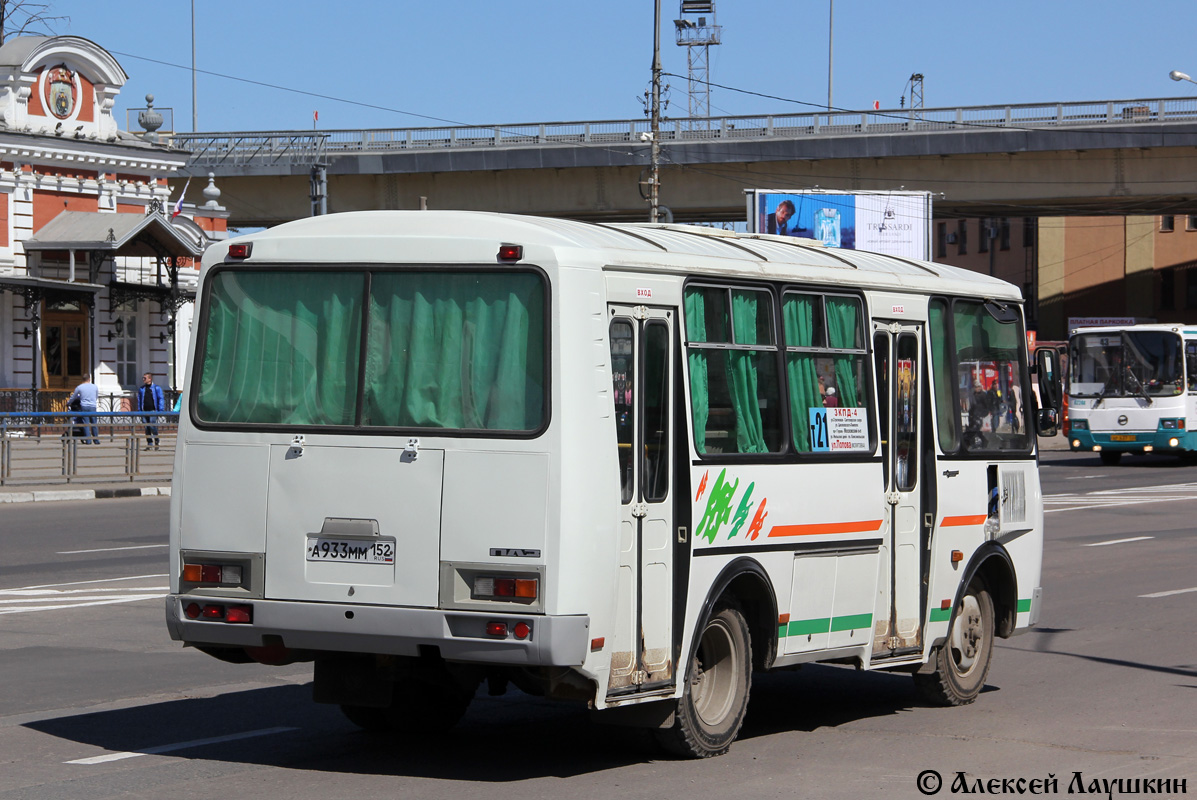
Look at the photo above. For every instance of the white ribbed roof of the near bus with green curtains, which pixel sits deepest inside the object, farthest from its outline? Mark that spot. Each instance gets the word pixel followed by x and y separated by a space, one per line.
pixel 429 237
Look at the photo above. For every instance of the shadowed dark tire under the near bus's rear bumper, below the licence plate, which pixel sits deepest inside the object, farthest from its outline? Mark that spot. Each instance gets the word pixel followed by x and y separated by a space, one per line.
pixel 418 710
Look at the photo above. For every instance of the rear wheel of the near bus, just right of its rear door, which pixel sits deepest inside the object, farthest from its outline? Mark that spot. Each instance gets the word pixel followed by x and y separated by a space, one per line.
pixel 715 700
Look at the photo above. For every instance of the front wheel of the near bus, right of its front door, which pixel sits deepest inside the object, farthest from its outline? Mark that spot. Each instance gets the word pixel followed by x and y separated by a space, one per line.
pixel 962 663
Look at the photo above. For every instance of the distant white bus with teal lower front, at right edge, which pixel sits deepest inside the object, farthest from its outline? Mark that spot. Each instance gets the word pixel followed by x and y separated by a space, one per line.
pixel 1133 390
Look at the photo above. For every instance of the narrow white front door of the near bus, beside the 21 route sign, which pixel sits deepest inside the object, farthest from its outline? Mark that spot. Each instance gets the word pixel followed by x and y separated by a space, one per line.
pixel 898 351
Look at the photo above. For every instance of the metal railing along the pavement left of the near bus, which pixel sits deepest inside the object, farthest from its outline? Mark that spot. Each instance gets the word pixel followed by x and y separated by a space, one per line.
pixel 58 449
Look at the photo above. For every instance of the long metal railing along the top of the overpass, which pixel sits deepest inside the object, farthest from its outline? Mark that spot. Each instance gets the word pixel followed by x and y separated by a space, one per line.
pixel 307 148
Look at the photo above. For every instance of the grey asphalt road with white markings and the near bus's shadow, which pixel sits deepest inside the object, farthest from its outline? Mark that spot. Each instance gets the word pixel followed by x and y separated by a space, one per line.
pixel 98 702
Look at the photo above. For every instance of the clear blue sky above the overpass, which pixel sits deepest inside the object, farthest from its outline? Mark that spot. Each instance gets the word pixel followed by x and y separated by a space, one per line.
pixel 264 65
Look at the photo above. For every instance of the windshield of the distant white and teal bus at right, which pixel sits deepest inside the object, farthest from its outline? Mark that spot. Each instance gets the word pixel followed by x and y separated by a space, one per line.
pixel 1128 363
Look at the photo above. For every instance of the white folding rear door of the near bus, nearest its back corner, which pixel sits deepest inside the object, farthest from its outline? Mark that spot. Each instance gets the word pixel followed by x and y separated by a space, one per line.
pixel 642 374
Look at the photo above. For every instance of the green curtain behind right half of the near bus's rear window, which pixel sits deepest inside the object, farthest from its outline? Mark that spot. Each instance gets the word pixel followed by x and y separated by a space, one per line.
pixel 460 351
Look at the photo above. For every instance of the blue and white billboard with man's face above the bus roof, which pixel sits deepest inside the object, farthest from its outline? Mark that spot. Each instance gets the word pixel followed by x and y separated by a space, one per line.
pixel 895 223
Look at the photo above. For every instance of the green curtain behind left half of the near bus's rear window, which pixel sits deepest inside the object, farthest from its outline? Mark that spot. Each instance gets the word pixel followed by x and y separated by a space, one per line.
pixel 282 348
